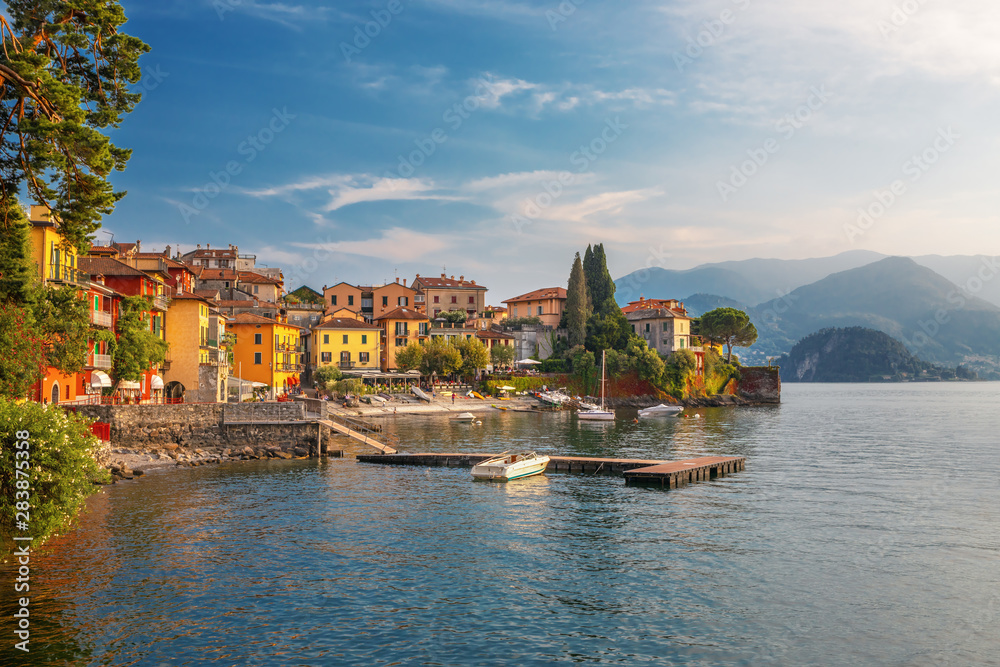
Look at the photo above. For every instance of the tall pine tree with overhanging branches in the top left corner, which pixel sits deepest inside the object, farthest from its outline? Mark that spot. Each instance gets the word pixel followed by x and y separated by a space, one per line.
pixel 65 71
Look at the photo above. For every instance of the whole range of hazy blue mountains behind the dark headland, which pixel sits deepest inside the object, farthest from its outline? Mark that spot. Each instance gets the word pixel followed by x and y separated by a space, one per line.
pixel 938 320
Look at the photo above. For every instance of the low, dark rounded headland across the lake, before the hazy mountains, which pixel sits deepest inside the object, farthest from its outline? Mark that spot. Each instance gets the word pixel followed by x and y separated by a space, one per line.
pixel 854 354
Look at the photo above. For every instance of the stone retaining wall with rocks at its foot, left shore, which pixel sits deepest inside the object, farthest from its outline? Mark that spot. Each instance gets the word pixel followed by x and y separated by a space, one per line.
pixel 144 436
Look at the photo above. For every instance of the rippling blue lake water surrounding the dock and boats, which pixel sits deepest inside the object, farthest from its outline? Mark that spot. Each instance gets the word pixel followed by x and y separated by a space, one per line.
pixel 864 530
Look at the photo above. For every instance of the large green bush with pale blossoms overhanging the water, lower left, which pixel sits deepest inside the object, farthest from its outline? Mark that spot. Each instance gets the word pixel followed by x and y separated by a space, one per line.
pixel 61 468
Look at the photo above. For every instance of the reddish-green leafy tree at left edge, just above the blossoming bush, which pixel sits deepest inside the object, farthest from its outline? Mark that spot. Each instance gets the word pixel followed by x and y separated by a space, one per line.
pixel 22 362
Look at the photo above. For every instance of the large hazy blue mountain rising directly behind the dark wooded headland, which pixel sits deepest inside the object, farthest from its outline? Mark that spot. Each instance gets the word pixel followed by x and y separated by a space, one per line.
pixel 912 303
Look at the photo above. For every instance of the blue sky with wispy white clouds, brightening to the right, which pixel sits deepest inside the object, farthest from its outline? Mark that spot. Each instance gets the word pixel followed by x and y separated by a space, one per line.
pixel 493 139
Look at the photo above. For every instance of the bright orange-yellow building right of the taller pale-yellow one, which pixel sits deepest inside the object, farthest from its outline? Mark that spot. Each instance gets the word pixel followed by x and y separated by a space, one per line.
pixel 266 351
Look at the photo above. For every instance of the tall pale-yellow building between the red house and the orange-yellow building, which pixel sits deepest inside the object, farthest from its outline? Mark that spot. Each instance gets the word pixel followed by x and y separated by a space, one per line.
pixel 196 353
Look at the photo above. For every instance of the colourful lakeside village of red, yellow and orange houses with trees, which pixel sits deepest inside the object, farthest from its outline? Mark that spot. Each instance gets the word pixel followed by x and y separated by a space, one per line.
pixel 214 327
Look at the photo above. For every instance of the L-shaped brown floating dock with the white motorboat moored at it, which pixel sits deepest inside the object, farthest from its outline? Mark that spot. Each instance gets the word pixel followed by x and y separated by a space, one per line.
pixel 665 474
